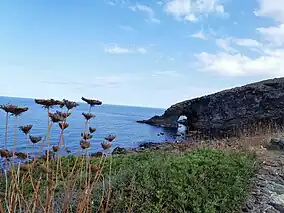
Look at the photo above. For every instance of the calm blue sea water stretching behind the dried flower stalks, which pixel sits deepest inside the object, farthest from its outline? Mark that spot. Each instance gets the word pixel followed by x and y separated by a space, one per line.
pixel 110 119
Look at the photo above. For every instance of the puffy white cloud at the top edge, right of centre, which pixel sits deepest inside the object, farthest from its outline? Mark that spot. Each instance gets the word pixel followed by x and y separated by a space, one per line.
pixel 190 10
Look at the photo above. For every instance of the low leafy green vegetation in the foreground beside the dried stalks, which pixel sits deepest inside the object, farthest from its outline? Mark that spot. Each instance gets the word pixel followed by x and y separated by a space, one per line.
pixel 204 180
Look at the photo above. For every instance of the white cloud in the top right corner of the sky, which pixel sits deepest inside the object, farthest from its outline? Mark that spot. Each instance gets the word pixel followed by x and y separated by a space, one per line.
pixel 271 8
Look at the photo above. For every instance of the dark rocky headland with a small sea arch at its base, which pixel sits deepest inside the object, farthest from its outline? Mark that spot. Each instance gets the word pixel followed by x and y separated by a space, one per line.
pixel 228 110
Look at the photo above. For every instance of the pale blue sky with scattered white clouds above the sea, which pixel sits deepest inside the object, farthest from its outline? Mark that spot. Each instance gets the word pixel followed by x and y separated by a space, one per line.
pixel 142 53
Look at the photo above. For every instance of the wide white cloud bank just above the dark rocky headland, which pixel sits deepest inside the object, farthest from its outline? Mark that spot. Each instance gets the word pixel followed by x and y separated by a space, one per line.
pixel 237 64
